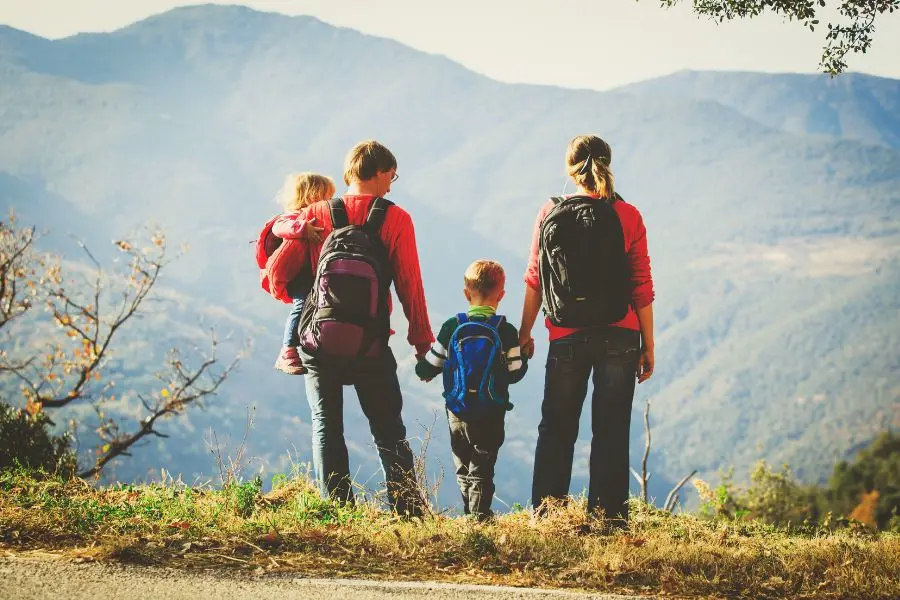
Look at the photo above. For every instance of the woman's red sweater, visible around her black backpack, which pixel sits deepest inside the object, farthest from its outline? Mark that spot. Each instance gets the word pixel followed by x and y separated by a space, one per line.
pixel 635 246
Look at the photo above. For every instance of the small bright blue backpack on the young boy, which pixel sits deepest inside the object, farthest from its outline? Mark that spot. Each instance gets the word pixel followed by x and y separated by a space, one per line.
pixel 473 356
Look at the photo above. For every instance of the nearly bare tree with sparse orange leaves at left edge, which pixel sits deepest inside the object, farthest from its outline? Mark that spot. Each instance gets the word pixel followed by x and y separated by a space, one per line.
pixel 67 372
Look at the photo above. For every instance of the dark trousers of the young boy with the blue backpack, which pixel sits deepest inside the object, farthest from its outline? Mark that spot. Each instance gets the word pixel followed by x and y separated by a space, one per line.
pixel 475 444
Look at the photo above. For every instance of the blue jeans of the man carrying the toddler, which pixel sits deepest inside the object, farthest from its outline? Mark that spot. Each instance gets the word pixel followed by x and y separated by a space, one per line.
pixel 379 394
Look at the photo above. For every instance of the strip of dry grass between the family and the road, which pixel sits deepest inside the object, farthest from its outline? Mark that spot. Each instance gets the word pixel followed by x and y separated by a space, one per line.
pixel 292 529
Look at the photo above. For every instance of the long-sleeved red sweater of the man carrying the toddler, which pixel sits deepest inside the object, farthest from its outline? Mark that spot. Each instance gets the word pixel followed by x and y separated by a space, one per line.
pixel 399 238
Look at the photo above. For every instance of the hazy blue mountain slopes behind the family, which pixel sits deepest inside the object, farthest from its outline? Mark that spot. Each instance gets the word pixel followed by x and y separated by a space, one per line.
pixel 772 228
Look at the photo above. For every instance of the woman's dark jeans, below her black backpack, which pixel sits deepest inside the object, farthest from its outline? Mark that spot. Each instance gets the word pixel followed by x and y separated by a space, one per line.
pixel 612 355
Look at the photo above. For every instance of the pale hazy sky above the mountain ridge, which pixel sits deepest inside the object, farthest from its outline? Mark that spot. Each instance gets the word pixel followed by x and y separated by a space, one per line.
pixel 576 43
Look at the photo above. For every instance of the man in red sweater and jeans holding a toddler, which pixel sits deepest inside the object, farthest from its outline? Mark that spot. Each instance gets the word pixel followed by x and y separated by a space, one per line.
pixel 369 170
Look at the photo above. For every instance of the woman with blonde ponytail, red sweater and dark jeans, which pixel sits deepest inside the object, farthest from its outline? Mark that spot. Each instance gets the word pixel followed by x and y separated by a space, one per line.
pixel 615 349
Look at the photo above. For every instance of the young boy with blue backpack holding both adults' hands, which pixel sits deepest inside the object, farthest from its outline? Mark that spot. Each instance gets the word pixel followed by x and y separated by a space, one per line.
pixel 478 353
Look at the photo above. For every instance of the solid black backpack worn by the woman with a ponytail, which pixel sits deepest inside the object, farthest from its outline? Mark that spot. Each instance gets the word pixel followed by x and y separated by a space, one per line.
pixel 584 269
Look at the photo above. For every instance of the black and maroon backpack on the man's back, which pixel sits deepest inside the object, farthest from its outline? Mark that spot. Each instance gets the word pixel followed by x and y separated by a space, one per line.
pixel 346 312
